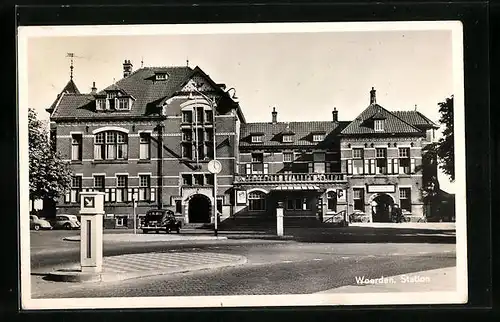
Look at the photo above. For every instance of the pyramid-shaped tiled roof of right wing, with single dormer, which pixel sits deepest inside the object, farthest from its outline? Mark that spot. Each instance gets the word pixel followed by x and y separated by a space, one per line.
pixel 393 124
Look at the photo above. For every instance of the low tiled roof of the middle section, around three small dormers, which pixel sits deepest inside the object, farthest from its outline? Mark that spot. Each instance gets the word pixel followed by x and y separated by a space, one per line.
pixel 303 132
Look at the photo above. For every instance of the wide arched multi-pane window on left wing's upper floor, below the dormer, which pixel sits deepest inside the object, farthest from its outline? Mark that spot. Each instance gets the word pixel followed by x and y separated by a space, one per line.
pixel 110 145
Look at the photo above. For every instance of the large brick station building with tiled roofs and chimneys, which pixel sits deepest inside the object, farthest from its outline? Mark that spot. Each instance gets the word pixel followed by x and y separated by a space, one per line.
pixel 150 135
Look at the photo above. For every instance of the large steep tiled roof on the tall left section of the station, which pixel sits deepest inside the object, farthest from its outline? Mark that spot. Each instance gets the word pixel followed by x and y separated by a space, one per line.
pixel 140 84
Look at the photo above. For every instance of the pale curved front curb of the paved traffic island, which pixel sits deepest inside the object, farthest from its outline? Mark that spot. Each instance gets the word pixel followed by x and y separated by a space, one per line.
pixel 74 275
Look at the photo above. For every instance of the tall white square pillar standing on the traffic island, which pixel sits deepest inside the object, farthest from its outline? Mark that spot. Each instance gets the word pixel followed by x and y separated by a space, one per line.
pixel 91 212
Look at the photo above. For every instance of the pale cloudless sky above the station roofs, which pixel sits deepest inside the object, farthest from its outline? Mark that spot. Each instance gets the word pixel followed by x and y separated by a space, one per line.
pixel 304 74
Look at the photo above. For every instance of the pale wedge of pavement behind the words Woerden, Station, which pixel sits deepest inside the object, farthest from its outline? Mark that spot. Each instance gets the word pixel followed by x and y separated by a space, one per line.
pixel 423 281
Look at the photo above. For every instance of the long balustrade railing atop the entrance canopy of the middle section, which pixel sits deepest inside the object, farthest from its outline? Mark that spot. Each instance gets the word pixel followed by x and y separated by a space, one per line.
pixel 292 177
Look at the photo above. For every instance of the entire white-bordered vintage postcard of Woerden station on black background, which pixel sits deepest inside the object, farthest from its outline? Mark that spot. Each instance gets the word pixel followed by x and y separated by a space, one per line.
pixel 242 165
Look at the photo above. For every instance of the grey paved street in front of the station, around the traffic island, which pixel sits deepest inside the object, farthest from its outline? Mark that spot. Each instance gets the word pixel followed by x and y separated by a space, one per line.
pixel 272 267
